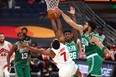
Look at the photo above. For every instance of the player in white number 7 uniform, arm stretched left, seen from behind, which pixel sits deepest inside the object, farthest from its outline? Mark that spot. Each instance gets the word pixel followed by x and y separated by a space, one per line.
pixel 60 56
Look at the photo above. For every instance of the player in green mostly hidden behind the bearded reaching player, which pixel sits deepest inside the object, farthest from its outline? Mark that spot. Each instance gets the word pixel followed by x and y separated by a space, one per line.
pixel 103 40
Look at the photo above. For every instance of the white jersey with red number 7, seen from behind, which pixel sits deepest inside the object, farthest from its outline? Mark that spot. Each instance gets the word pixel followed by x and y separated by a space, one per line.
pixel 62 57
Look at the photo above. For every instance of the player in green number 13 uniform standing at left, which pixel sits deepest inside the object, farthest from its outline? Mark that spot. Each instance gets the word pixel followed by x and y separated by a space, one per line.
pixel 21 58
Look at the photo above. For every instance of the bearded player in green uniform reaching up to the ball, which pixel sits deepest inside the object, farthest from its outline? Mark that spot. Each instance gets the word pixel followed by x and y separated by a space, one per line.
pixel 90 41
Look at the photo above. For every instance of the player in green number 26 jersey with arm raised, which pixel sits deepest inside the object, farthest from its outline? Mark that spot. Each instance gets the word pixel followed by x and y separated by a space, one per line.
pixel 71 39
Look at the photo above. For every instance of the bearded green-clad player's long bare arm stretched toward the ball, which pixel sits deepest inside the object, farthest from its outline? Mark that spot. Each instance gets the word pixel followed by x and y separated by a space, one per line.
pixel 72 23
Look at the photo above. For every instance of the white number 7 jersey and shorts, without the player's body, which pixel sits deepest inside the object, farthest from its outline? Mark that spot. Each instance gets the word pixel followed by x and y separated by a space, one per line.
pixel 64 62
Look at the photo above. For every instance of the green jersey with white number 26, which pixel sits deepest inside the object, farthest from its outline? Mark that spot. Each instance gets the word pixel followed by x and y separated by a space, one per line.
pixel 73 50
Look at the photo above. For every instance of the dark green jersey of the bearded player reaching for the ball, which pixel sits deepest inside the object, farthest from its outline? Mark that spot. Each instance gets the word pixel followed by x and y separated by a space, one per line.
pixel 89 47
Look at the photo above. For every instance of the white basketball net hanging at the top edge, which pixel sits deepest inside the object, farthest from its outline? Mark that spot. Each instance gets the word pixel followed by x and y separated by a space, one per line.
pixel 51 4
